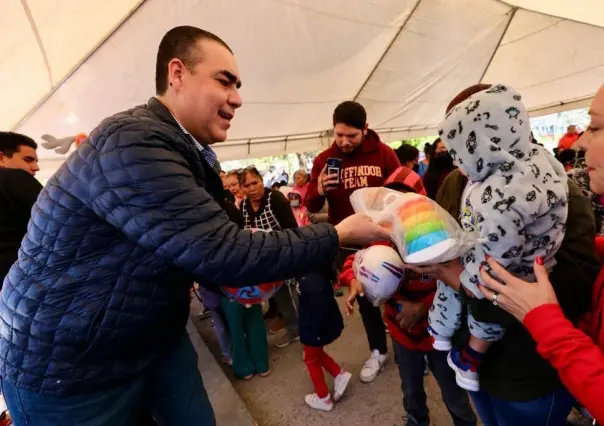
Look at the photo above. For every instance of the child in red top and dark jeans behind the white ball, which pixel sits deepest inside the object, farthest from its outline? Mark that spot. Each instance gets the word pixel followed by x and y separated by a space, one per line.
pixel 406 315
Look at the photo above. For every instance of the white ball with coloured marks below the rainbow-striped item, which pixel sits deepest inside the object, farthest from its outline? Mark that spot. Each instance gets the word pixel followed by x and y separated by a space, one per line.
pixel 381 272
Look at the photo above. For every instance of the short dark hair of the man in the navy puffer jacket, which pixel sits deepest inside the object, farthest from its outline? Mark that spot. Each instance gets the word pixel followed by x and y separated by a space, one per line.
pixel 180 42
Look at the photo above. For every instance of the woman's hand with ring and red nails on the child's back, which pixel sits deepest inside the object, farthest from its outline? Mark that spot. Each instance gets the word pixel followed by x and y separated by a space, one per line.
pixel 517 296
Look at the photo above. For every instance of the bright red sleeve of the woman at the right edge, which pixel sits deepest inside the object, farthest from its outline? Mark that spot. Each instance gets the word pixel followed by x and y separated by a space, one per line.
pixel 579 362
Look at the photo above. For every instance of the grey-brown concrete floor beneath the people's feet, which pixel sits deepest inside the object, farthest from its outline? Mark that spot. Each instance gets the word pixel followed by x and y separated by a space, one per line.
pixel 277 400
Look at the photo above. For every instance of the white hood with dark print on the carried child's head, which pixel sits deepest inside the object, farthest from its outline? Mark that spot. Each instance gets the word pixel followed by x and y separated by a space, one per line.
pixel 488 131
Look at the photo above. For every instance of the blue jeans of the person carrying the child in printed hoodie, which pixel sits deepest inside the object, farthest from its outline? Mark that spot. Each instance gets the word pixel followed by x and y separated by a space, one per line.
pixel 550 410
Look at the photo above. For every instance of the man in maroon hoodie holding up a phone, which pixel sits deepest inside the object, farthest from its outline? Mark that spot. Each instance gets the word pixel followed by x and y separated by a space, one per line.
pixel 364 162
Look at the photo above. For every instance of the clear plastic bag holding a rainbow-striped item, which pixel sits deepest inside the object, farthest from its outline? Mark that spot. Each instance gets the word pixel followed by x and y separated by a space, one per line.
pixel 424 233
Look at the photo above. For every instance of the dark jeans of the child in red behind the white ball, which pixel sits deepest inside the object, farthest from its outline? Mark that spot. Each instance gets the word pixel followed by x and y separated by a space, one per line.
pixel 411 370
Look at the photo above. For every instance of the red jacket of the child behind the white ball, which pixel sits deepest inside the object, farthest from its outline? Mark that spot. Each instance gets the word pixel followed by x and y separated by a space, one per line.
pixel 415 288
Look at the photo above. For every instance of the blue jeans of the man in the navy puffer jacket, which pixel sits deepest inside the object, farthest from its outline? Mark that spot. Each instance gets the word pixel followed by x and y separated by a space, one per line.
pixel 172 391
